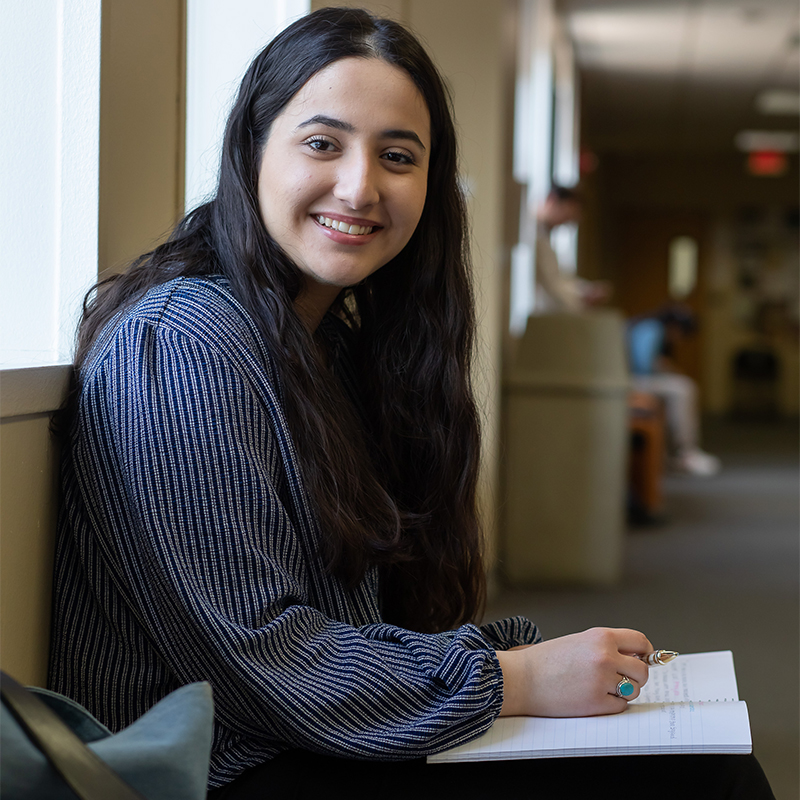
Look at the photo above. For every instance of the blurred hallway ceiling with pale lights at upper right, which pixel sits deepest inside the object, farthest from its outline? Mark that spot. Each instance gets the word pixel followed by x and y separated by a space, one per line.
pixel 681 75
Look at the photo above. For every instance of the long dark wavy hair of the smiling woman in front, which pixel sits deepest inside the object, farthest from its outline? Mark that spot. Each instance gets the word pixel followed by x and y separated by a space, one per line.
pixel 400 495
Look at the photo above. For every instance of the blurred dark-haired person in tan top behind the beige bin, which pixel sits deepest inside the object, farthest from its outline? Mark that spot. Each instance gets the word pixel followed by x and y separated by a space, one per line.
pixel 558 290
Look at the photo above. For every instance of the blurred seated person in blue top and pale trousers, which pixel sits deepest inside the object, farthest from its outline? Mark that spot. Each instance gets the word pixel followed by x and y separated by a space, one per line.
pixel 650 342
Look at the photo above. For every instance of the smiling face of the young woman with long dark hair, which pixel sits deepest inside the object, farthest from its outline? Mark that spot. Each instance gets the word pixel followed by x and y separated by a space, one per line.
pixel 344 175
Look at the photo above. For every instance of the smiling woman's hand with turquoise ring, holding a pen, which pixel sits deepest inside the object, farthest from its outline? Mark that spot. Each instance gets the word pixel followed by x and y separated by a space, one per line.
pixel 573 676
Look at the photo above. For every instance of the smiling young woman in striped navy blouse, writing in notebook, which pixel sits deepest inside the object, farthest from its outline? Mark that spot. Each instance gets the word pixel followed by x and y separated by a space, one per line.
pixel 269 478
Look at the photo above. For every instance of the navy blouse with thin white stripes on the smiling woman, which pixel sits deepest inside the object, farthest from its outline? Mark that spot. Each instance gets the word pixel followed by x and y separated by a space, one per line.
pixel 187 550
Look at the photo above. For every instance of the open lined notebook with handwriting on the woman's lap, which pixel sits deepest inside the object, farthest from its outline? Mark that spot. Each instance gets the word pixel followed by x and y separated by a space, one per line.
pixel 691 705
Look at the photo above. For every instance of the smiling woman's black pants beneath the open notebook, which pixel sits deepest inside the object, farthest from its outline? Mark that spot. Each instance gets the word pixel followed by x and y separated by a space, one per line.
pixel 297 774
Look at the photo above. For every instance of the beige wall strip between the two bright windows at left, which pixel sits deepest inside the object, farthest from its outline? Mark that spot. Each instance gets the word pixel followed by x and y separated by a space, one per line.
pixel 141 126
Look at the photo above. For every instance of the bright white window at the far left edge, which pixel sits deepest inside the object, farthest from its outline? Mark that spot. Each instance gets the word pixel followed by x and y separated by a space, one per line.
pixel 49 168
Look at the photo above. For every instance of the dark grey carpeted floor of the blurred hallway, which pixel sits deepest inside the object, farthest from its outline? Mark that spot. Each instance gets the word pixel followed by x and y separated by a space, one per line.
pixel 720 574
